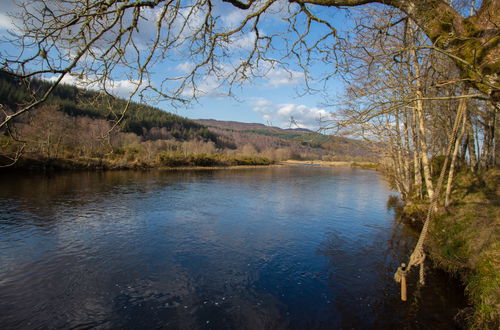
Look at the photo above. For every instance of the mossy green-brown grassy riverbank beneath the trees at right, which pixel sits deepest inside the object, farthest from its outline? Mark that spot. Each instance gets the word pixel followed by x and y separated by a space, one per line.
pixel 465 240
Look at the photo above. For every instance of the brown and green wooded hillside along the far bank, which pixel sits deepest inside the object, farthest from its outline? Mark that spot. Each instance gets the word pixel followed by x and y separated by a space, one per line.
pixel 79 125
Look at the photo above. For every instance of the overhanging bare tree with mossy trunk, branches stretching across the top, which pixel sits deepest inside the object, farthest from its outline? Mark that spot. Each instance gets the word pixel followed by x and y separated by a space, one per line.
pixel 97 41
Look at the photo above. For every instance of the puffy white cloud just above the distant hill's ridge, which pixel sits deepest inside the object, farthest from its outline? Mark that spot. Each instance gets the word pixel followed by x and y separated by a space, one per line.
pixel 291 115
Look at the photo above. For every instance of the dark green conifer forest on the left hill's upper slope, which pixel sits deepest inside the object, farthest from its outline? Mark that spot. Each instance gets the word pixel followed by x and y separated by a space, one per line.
pixel 140 119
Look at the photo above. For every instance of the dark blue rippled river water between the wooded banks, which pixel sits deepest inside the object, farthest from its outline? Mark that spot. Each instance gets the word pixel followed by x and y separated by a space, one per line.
pixel 274 248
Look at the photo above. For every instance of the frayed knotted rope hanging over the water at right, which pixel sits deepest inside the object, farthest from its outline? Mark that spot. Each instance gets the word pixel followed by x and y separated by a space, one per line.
pixel 417 258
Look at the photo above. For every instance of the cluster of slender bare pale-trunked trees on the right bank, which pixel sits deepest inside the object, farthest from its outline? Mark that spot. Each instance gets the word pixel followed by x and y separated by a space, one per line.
pixel 410 99
